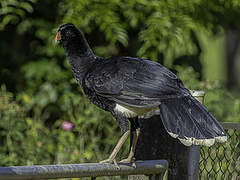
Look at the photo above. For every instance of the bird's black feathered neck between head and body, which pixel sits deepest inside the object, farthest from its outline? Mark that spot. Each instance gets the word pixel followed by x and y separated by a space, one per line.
pixel 80 57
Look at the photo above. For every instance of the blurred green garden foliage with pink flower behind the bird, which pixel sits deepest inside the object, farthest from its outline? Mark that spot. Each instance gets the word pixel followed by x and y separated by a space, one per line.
pixel 45 117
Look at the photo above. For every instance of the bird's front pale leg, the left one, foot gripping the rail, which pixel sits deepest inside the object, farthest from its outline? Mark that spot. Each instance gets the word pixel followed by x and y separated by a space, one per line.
pixel 111 158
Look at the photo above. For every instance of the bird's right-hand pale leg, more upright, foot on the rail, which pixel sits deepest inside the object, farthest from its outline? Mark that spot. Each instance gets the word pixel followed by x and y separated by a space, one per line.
pixel 130 157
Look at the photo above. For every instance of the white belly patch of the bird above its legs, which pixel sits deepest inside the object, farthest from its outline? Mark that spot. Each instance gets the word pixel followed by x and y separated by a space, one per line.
pixel 131 112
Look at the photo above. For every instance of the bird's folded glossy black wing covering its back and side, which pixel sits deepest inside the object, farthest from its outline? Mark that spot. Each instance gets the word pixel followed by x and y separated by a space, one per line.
pixel 134 82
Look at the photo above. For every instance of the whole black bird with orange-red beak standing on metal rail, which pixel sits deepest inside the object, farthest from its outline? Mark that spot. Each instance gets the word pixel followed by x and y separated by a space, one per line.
pixel 130 88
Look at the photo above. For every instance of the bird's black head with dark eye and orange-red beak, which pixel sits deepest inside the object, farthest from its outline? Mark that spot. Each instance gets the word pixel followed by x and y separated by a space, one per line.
pixel 66 33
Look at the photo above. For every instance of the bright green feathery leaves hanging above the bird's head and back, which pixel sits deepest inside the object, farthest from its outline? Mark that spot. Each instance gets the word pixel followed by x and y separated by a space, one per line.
pixel 162 30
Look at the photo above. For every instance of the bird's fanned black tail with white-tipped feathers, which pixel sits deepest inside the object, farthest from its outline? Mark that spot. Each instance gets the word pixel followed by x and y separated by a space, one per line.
pixel 189 121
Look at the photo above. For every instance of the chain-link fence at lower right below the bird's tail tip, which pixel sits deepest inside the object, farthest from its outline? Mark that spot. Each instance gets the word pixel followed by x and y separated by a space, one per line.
pixel 222 161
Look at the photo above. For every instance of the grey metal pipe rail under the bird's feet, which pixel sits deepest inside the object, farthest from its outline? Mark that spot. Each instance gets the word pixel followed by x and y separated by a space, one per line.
pixel 151 167
